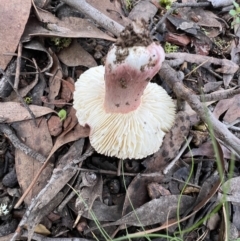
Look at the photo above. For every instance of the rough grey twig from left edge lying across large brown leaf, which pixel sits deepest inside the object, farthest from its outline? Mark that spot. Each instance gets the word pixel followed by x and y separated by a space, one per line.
pixel 4 128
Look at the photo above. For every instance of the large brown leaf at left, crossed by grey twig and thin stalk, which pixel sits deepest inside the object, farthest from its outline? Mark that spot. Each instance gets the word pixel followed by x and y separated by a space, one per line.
pixel 39 139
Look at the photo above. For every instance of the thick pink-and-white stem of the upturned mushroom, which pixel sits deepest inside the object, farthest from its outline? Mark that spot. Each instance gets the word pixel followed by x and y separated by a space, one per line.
pixel 127 73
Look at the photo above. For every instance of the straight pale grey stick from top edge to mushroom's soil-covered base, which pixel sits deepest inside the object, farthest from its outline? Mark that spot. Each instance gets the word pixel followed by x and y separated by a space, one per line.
pixel 103 20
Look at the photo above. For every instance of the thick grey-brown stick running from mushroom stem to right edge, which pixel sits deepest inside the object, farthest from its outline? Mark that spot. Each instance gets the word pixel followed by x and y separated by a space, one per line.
pixel 220 130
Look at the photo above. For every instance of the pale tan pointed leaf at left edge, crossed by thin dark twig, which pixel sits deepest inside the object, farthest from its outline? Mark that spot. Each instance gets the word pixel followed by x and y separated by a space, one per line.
pixel 13 111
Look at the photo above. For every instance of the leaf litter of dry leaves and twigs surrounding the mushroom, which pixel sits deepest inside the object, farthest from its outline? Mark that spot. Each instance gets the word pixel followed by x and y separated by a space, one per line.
pixel 142 194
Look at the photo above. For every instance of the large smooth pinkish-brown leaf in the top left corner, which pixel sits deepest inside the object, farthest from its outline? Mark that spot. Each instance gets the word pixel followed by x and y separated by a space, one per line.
pixel 13 18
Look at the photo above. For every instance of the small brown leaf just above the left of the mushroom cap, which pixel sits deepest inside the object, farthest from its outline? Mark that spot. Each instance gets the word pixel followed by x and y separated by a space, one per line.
pixel 75 55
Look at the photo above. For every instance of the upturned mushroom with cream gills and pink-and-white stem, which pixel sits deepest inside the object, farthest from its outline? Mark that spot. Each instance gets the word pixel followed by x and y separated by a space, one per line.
pixel 128 116
